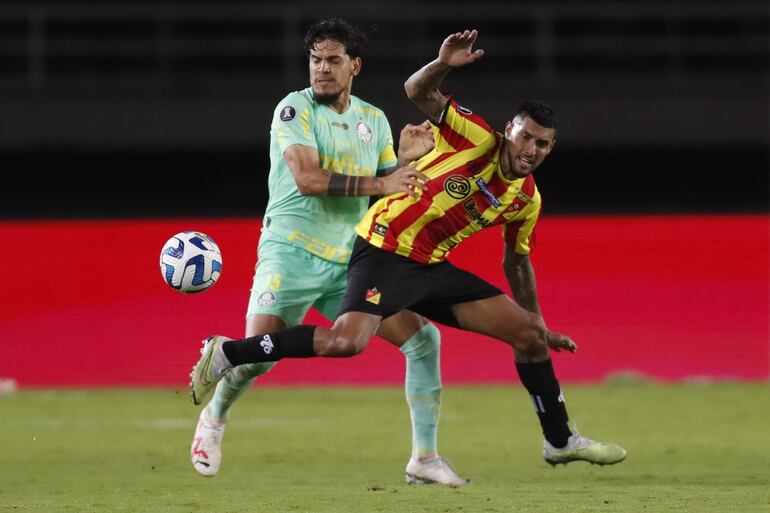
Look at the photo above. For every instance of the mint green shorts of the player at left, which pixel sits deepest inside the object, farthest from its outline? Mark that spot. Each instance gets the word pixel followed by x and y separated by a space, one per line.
pixel 289 280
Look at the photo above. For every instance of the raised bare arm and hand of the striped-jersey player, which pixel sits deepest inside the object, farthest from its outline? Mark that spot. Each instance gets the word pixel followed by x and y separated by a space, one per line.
pixel 423 86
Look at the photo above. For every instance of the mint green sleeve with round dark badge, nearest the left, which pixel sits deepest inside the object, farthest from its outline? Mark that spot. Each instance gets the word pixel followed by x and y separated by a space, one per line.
pixel 293 121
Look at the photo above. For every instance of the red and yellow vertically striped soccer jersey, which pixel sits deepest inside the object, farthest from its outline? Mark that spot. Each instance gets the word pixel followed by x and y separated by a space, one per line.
pixel 467 192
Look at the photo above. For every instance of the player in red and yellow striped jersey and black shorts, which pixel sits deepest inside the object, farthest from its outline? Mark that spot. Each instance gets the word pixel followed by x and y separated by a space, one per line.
pixel 477 178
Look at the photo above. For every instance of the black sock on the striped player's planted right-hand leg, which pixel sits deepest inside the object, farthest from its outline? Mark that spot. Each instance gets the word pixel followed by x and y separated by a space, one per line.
pixel 541 383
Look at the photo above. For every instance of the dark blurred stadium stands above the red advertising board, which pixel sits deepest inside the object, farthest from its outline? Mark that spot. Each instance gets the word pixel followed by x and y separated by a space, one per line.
pixel 134 108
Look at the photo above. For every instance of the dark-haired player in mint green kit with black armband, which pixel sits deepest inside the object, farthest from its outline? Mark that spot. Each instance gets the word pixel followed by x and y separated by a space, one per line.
pixel 330 151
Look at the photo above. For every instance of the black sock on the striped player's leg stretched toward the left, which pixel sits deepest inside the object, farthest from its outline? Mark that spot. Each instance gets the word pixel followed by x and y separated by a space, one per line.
pixel 296 342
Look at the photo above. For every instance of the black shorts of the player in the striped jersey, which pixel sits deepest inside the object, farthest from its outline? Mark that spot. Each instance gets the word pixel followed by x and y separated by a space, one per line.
pixel 384 283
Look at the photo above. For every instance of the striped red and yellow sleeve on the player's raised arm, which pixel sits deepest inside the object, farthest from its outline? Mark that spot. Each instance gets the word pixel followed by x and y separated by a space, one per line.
pixel 459 128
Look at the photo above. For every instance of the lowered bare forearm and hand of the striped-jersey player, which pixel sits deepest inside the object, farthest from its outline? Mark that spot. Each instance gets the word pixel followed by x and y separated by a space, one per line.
pixel 521 277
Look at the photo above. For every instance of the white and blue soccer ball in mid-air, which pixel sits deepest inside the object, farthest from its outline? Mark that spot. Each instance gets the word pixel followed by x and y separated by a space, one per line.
pixel 190 262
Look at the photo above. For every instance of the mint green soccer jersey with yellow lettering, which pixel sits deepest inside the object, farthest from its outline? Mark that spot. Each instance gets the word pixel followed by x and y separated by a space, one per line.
pixel 357 142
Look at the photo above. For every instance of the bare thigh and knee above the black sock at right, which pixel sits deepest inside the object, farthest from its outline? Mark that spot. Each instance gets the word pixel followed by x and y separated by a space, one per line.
pixel 500 317
